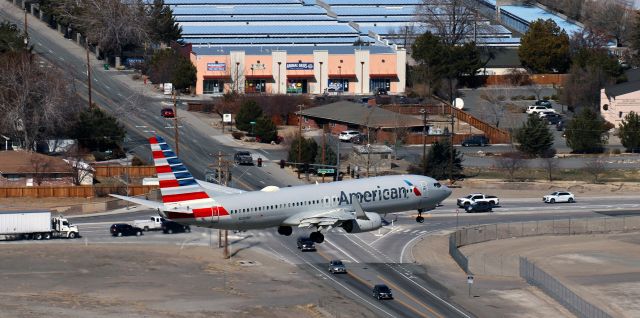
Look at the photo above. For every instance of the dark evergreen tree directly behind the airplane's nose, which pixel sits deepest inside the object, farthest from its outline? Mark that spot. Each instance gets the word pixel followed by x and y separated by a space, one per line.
pixel 438 159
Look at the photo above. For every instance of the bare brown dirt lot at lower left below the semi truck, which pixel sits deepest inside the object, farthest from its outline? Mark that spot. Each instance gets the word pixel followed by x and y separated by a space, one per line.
pixel 73 280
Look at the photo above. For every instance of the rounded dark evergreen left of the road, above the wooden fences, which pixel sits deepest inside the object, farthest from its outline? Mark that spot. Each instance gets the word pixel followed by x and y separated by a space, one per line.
pixel 98 131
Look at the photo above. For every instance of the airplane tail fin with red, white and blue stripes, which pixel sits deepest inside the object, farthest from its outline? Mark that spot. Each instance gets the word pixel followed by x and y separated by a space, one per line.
pixel 179 189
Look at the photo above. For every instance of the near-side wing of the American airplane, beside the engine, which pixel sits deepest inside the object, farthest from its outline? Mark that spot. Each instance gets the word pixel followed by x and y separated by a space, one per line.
pixel 328 218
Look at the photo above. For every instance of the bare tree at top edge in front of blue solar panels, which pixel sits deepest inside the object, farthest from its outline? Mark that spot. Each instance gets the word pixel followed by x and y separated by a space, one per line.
pixel 453 20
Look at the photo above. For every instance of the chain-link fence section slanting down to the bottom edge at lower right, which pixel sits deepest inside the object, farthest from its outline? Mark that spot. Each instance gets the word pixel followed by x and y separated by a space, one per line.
pixel 554 288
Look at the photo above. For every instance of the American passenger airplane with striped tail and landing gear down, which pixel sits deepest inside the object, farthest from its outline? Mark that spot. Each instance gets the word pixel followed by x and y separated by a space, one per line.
pixel 354 205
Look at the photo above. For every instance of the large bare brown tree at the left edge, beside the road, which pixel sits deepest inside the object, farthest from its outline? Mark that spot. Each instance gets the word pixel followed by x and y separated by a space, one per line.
pixel 36 103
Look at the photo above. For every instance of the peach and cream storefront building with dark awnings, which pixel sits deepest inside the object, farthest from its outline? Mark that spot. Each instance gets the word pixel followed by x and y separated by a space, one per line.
pixel 348 70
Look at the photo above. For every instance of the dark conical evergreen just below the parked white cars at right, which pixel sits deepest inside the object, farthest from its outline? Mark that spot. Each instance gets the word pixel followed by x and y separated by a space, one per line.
pixel 534 137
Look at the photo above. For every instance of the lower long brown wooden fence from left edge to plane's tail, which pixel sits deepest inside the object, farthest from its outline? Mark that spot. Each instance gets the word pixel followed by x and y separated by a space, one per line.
pixel 73 191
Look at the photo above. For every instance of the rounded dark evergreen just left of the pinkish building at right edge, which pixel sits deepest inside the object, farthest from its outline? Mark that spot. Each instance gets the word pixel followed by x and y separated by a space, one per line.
pixel 586 132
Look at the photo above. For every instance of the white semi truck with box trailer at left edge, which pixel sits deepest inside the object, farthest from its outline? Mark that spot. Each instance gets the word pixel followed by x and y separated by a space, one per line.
pixel 38 225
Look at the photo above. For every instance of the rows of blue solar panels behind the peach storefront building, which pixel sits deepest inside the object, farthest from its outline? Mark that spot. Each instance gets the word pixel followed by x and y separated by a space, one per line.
pixel 307 22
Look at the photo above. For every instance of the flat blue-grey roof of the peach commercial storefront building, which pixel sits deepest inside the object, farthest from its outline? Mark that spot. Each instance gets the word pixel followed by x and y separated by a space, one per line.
pixel 338 49
